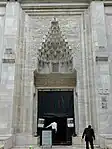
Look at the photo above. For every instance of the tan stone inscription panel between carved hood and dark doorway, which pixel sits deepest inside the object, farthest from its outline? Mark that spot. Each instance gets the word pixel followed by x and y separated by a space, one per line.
pixel 55 80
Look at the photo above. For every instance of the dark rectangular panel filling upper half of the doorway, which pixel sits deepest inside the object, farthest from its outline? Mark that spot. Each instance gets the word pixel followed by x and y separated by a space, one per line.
pixel 55 103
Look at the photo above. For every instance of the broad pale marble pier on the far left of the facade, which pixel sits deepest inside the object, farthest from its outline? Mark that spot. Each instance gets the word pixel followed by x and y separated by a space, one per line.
pixel 8 69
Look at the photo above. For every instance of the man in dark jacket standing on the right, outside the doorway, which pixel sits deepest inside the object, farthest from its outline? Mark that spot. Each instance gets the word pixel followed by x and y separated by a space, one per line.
pixel 89 136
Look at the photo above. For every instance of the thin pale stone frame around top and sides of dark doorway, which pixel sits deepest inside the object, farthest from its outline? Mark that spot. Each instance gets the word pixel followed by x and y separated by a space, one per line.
pixel 35 106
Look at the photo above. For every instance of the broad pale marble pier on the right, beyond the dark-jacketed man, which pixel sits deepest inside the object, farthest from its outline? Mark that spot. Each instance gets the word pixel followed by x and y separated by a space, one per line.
pixel 101 67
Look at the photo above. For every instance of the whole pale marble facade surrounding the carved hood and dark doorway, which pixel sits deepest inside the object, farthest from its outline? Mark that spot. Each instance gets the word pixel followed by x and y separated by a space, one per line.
pixel 88 34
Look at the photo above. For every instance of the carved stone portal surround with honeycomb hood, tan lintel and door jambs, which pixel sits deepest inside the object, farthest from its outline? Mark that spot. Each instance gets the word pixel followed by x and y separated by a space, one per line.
pixel 55 65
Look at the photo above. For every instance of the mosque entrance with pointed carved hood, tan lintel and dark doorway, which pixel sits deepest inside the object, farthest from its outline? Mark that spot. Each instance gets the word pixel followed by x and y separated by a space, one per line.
pixel 56 70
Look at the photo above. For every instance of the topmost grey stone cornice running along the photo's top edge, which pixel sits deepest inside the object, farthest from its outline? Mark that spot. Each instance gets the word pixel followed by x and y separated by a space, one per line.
pixel 76 4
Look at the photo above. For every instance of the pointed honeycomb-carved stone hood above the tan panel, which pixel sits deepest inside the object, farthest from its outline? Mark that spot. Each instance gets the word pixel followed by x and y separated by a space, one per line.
pixel 55 48
